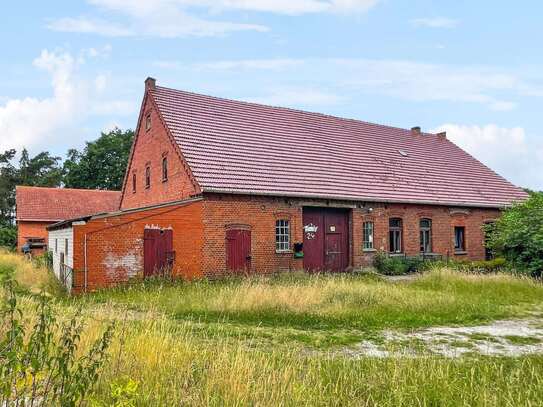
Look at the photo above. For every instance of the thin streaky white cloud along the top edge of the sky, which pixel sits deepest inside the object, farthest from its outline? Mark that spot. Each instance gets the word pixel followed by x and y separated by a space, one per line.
pixel 179 18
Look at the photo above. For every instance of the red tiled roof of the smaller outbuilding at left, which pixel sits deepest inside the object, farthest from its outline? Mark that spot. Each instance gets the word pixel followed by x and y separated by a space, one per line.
pixel 55 204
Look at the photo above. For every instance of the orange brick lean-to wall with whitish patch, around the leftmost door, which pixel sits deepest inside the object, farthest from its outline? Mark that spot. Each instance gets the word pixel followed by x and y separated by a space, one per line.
pixel 115 244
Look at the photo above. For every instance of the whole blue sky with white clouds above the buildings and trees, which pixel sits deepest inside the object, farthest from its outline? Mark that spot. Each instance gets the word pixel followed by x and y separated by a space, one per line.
pixel 474 68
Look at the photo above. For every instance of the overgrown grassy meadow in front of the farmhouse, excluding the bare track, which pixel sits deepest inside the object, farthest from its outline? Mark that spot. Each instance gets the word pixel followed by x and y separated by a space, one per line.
pixel 291 339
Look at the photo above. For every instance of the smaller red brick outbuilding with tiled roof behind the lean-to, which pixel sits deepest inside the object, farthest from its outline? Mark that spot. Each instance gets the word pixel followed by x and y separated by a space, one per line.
pixel 38 207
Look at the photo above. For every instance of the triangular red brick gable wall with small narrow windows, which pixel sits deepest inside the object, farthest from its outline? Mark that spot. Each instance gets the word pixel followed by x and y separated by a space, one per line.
pixel 150 147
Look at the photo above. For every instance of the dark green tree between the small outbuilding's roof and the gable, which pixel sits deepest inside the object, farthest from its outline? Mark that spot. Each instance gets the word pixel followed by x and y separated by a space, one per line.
pixel 102 163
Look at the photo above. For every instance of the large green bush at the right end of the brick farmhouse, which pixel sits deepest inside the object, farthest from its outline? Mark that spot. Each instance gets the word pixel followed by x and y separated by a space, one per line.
pixel 518 235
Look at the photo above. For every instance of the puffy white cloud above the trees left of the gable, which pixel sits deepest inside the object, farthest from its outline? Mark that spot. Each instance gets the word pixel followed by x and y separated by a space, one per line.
pixel 42 123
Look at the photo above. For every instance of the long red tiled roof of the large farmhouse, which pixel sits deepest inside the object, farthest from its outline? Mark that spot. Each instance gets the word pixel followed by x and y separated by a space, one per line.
pixel 247 148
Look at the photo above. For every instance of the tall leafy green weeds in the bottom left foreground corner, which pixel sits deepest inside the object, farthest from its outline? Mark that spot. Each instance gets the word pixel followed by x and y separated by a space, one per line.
pixel 40 366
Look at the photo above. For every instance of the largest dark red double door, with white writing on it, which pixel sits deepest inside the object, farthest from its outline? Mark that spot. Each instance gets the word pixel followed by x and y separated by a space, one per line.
pixel 326 239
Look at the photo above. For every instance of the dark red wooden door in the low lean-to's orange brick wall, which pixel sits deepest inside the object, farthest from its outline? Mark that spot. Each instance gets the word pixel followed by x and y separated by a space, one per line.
pixel 157 251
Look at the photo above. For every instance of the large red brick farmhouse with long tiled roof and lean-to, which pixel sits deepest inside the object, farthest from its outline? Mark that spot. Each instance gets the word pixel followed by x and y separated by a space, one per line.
pixel 218 186
